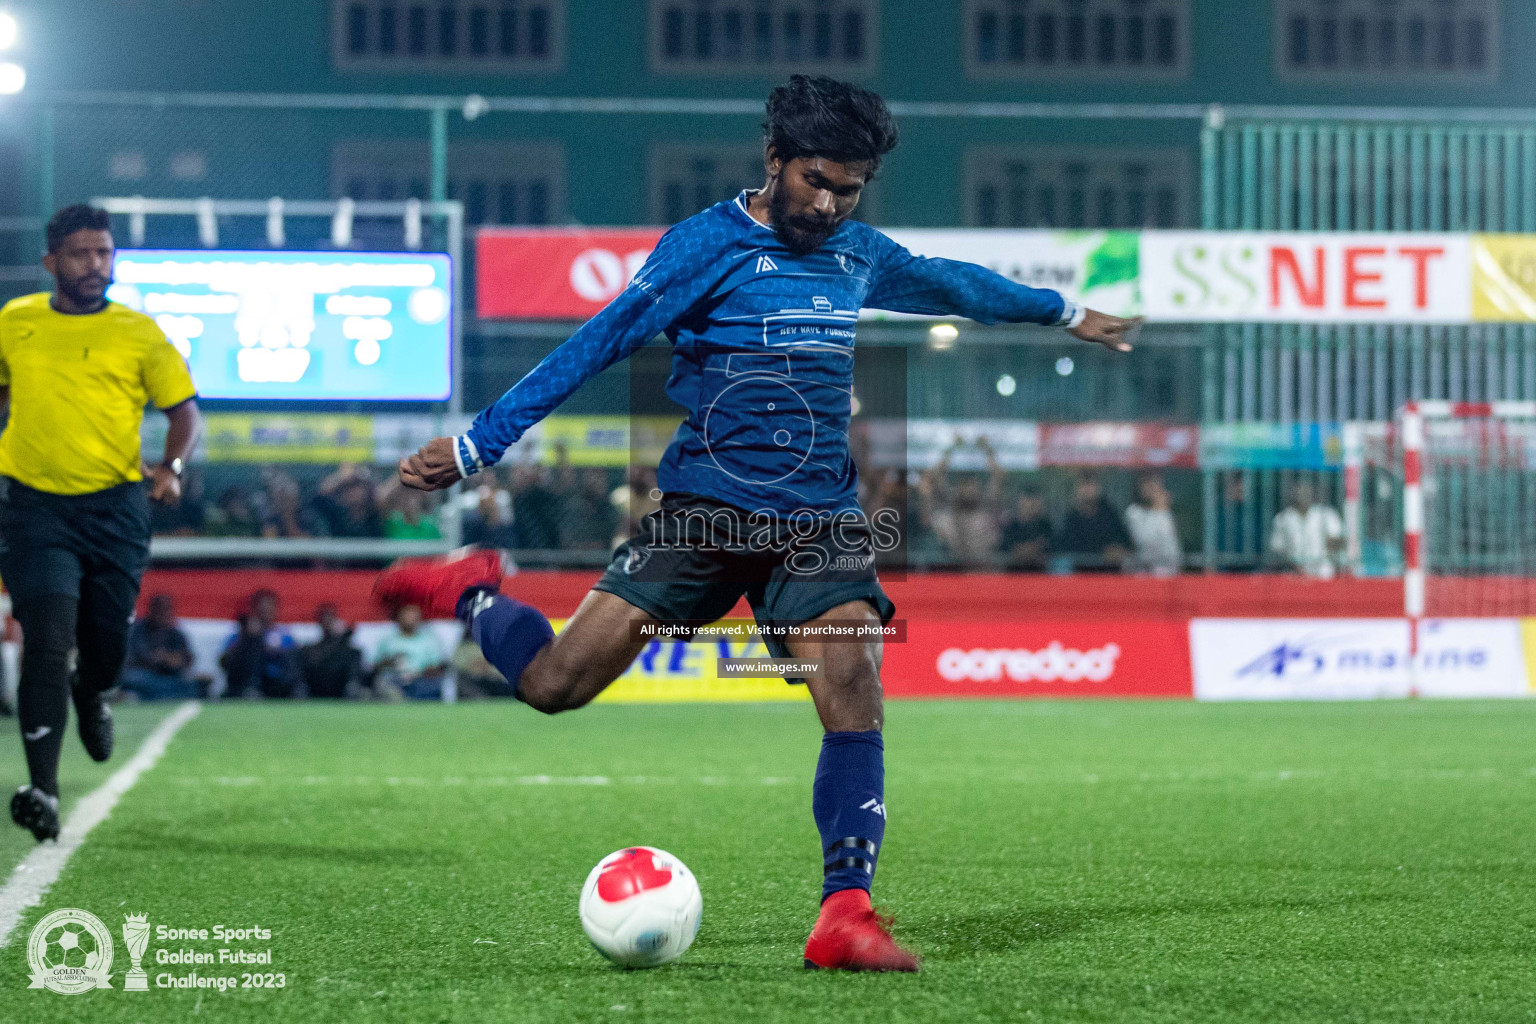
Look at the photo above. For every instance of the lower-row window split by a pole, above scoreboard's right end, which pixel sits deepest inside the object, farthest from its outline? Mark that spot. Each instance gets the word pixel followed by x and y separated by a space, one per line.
pixel 500 183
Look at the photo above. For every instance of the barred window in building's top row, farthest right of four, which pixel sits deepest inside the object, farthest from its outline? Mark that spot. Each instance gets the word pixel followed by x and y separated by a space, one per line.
pixel 1388 39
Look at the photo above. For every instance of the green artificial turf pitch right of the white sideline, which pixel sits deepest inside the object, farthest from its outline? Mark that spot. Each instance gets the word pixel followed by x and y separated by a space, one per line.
pixel 1053 862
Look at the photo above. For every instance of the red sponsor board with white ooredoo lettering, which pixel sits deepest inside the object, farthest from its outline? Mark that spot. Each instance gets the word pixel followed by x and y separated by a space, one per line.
pixel 1041 659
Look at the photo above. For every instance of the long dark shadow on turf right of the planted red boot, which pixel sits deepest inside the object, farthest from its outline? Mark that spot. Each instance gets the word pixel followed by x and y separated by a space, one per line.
pixel 964 936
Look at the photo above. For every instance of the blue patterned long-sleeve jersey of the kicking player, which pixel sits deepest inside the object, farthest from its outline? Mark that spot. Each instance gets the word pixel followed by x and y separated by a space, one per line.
pixel 763 352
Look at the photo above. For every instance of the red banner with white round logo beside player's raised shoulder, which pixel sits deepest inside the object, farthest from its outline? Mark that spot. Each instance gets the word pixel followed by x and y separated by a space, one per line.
pixel 555 274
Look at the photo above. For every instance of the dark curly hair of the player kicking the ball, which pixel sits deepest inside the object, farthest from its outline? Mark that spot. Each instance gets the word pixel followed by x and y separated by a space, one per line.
pixel 815 116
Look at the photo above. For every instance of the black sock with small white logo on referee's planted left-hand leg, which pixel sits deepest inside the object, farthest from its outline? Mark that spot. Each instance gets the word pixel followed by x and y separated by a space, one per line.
pixel 48 633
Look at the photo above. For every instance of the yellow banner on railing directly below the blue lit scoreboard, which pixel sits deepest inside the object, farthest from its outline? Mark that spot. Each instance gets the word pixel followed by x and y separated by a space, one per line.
pixel 294 438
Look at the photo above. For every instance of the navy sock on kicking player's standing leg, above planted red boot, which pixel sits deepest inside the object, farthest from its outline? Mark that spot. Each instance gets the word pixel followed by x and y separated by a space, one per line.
pixel 849 802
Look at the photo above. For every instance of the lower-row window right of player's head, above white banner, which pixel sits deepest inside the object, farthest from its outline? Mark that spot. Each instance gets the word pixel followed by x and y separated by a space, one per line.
pixel 1079 188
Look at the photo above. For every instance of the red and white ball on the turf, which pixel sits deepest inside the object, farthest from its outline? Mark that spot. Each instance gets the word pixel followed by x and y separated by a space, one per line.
pixel 641 908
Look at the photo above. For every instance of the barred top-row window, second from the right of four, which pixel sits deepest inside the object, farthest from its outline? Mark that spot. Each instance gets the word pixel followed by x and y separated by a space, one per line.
pixel 1042 39
